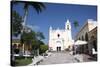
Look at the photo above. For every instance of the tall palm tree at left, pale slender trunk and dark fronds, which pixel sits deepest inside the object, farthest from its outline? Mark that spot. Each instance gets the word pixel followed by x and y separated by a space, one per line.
pixel 38 6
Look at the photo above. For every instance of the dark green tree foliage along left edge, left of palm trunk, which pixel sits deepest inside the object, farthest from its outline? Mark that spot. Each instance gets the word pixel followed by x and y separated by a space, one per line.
pixel 16 23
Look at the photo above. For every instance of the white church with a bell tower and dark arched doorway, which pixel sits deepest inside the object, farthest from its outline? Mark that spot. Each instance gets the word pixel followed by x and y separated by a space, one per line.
pixel 60 39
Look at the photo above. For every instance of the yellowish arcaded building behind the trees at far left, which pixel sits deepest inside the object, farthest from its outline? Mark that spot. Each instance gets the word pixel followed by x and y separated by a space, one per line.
pixel 18 48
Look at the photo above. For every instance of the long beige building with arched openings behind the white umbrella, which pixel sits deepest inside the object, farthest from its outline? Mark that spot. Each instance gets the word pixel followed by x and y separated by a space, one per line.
pixel 84 33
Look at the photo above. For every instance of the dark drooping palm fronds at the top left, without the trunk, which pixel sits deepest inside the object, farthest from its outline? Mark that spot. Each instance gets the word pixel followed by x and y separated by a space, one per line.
pixel 38 6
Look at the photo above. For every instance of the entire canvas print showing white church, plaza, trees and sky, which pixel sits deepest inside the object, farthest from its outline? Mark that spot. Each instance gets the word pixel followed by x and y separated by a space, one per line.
pixel 50 38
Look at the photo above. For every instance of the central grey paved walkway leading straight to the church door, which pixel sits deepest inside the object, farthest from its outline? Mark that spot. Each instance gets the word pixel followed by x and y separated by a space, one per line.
pixel 58 58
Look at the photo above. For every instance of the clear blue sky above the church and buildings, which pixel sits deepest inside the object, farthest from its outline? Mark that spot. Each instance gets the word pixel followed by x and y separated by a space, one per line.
pixel 56 15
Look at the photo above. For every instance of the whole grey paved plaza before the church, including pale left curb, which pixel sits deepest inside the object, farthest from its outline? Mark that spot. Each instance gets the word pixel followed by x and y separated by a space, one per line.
pixel 61 57
